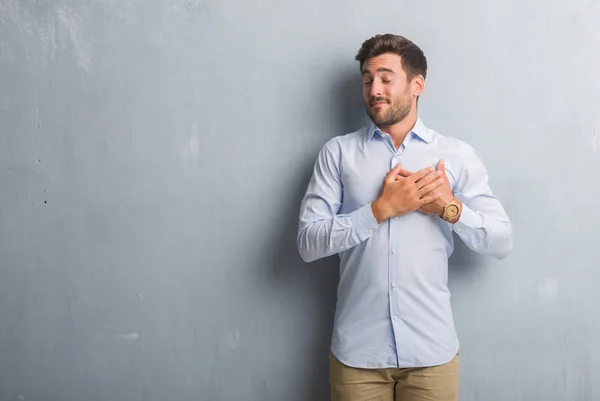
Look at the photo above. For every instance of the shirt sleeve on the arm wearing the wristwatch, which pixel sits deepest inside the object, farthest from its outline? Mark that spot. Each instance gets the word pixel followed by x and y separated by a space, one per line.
pixel 484 225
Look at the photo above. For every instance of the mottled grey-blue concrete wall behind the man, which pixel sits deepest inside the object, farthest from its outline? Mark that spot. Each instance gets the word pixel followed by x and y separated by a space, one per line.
pixel 152 159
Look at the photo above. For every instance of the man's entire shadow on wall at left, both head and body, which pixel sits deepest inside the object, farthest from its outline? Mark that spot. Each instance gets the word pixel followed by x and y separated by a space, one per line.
pixel 318 279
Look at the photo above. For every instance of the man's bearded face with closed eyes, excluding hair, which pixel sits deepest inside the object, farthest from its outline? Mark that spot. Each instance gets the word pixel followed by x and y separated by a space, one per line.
pixel 387 93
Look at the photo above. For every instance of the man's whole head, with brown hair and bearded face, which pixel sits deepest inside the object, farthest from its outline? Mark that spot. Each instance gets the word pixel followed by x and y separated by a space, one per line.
pixel 393 72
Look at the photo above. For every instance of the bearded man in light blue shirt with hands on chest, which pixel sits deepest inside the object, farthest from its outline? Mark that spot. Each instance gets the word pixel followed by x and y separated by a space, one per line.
pixel 386 199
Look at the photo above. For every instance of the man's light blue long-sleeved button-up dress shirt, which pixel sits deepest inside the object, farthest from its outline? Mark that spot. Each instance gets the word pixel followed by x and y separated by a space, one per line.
pixel 393 303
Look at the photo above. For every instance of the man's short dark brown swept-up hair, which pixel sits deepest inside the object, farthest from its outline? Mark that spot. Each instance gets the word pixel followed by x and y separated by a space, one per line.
pixel 413 60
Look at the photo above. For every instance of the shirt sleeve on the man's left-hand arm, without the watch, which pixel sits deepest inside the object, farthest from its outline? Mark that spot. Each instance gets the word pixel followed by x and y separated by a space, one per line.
pixel 322 231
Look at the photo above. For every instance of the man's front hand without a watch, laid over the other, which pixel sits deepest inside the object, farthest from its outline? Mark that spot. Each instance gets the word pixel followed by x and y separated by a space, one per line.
pixel 406 195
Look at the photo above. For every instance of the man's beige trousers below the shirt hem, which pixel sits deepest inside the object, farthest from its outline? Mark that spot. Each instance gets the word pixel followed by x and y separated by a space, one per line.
pixel 436 383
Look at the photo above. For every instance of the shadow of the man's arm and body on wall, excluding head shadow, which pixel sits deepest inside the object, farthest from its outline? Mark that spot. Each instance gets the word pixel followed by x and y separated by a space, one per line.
pixel 317 280
